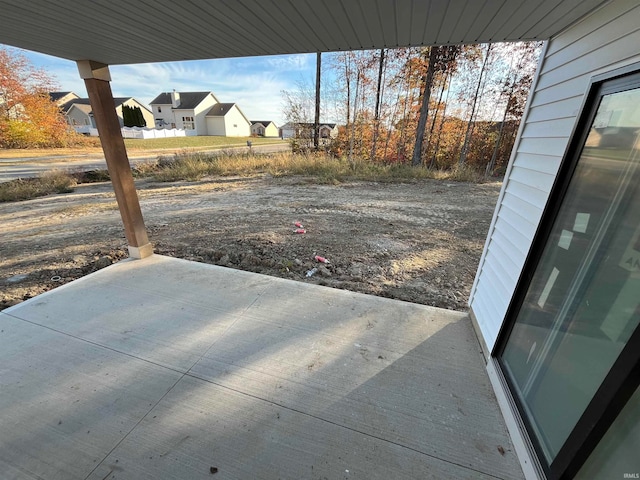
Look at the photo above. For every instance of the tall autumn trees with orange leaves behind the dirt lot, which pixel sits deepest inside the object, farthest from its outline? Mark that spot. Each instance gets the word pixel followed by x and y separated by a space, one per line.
pixel 435 107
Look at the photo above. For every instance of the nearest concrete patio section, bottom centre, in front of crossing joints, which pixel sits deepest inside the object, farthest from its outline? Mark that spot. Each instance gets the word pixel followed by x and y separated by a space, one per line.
pixel 200 425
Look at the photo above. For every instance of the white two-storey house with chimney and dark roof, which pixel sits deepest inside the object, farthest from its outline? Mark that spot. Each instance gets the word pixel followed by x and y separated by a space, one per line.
pixel 185 110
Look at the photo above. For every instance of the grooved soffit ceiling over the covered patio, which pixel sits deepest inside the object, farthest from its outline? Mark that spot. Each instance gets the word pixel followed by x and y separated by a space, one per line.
pixel 138 31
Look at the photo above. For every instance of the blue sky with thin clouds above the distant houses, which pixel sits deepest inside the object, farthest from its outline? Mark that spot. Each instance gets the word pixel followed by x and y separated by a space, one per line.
pixel 254 83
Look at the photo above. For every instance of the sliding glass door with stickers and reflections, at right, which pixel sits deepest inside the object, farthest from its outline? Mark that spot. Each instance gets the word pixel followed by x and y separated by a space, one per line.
pixel 580 307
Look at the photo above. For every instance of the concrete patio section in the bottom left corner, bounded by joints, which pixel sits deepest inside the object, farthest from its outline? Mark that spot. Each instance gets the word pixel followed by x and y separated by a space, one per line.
pixel 65 403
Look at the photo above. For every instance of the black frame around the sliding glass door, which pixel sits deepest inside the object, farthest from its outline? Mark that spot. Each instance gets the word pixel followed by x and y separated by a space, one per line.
pixel 624 376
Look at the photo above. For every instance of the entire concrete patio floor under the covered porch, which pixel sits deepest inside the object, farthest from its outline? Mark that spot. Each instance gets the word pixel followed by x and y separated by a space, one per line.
pixel 174 367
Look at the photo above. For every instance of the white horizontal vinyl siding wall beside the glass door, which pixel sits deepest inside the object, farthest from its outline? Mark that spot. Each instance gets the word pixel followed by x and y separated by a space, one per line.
pixel 607 39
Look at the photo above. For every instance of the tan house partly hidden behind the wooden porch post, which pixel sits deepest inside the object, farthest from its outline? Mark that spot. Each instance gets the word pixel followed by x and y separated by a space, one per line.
pixel 78 112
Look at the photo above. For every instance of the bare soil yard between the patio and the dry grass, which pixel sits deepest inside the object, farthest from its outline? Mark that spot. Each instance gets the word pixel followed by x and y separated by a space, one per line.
pixel 419 242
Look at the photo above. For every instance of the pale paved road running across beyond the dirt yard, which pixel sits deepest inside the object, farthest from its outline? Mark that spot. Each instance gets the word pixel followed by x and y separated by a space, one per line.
pixel 12 168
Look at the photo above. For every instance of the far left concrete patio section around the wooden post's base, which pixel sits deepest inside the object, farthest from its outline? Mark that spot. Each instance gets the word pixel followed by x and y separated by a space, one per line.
pixel 167 317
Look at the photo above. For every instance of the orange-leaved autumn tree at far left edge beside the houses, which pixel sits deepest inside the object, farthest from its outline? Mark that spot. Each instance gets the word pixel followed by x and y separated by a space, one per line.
pixel 28 117
